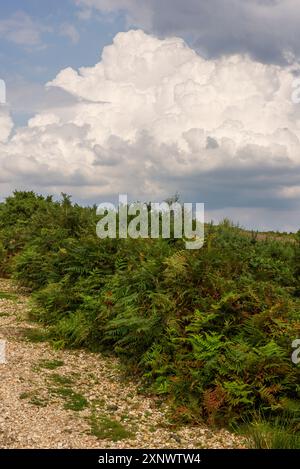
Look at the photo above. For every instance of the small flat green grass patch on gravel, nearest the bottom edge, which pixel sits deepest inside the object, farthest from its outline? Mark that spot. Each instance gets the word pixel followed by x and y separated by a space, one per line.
pixel 105 428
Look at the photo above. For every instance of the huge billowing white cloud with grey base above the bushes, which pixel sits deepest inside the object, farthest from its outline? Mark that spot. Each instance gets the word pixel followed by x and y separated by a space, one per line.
pixel 153 117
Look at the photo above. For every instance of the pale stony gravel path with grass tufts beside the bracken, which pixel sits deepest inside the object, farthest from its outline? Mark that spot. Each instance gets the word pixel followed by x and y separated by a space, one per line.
pixel 77 399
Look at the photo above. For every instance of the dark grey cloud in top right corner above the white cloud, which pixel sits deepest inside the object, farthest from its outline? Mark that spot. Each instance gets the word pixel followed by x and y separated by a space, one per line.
pixel 268 30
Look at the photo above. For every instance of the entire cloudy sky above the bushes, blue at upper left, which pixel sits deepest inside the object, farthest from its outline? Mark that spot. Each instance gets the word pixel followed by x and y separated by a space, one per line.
pixel 152 98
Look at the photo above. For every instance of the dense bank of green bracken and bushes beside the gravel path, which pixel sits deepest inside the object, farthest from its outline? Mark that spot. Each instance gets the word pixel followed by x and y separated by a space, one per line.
pixel 210 329
